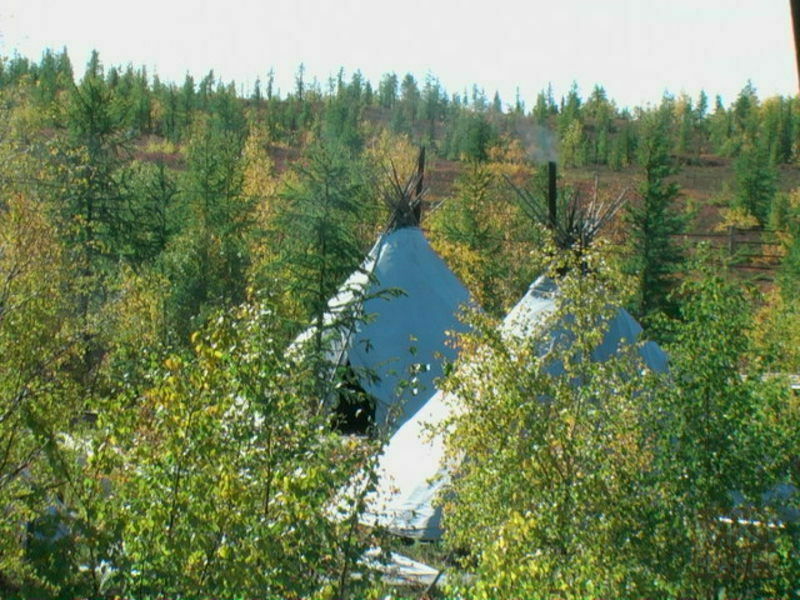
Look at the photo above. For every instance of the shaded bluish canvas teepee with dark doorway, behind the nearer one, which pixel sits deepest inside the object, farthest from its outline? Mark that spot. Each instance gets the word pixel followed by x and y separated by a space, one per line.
pixel 400 338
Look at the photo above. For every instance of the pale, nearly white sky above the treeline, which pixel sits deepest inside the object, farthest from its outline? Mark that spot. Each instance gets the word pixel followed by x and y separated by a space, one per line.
pixel 636 49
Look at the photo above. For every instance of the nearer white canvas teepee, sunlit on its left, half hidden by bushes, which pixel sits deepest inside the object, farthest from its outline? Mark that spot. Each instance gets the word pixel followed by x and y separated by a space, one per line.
pixel 411 470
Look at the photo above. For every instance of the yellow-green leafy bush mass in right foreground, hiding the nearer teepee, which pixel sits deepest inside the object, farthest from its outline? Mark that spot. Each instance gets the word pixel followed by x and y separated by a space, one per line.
pixel 575 478
